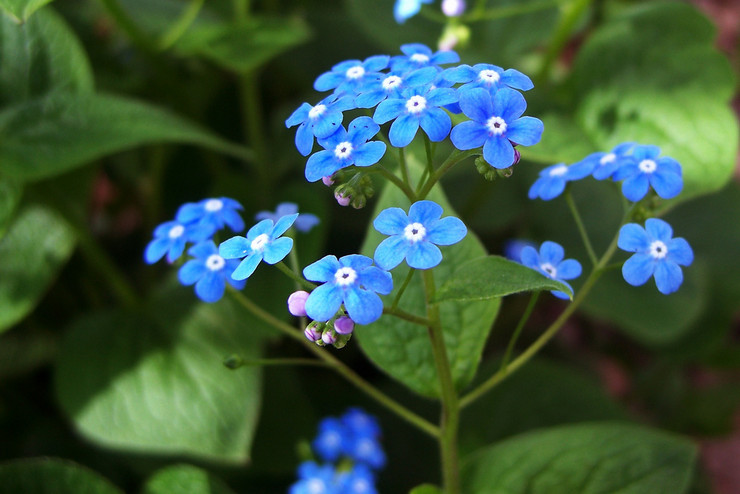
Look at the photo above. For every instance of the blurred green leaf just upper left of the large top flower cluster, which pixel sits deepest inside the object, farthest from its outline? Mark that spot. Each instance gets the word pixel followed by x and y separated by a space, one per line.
pixel 246 46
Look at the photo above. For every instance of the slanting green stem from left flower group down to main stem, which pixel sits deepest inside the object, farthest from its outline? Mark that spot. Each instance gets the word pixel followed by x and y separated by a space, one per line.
pixel 403 412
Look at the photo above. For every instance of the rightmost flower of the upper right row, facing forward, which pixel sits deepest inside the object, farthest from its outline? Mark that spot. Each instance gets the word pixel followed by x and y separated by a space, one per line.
pixel 645 169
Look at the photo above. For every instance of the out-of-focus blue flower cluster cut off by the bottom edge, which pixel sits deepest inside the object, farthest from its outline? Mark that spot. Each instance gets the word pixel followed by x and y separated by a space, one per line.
pixel 351 440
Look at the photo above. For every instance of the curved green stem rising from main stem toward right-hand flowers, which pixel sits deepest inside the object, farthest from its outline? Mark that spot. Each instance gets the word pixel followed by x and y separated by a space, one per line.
pixel 530 352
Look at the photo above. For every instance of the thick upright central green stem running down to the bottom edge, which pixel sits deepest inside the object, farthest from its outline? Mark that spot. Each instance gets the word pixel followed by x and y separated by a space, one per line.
pixel 450 419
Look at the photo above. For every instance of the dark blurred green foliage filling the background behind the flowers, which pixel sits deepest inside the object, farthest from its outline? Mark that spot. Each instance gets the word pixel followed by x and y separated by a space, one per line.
pixel 115 112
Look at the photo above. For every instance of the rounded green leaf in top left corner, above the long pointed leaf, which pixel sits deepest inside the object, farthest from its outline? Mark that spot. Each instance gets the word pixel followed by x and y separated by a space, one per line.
pixel 40 56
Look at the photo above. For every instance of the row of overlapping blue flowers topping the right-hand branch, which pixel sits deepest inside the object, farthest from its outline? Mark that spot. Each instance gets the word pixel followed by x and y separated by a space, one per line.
pixel 638 167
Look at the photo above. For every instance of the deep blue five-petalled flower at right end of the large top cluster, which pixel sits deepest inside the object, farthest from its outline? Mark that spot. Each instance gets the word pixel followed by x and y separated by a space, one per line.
pixel 494 124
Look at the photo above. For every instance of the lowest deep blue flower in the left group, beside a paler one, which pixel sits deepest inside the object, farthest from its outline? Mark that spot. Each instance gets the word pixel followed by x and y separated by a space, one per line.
pixel 209 272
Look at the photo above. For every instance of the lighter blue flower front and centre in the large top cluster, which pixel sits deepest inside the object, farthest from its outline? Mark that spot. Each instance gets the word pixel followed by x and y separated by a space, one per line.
pixel 419 106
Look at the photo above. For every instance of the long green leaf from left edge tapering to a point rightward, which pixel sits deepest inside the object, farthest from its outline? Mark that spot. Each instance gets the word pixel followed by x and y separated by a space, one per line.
pixel 57 133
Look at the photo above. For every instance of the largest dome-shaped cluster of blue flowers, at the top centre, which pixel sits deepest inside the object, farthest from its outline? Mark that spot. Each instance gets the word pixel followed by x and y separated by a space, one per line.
pixel 414 91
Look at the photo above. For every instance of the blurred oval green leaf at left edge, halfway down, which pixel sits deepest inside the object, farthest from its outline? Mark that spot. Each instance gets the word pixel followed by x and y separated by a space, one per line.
pixel 36 246
